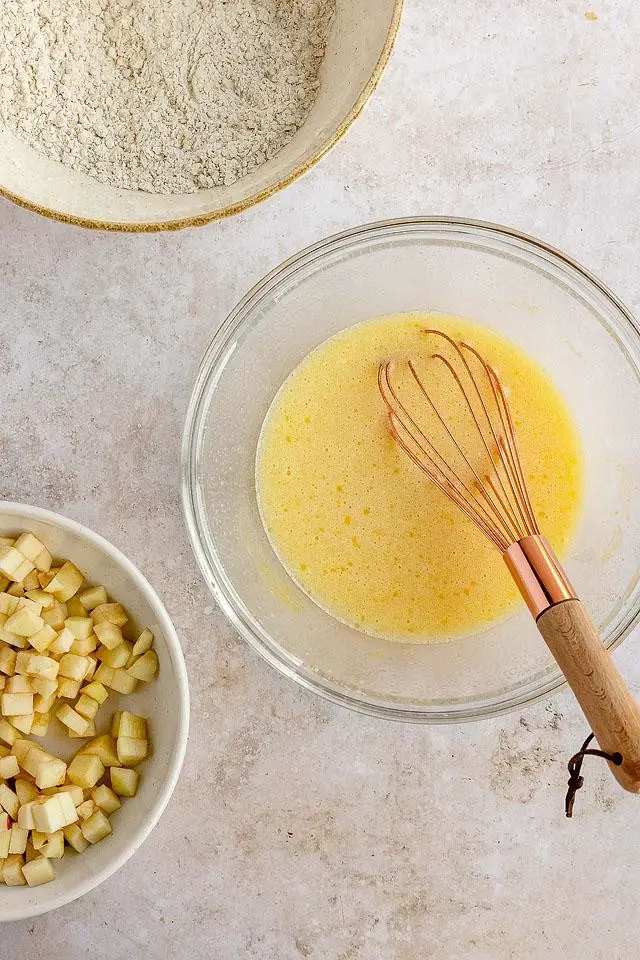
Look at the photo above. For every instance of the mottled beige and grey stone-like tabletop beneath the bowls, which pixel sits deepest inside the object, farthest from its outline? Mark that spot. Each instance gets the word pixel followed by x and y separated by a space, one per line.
pixel 299 830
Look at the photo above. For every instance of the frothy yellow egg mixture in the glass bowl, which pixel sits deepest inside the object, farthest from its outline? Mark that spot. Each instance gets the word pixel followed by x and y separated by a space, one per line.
pixel 355 523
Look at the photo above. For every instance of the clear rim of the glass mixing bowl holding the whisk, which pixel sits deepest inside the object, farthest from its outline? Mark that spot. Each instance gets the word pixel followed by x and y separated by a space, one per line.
pixel 627 329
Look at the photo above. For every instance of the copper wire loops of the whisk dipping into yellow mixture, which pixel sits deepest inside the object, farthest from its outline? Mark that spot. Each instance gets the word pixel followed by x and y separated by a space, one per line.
pixel 480 471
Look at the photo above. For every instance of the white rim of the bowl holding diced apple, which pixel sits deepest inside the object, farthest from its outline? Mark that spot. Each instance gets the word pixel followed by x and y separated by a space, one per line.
pixel 176 658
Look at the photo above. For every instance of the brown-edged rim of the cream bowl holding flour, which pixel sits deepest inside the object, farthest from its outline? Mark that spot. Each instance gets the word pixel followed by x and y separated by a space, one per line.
pixel 201 220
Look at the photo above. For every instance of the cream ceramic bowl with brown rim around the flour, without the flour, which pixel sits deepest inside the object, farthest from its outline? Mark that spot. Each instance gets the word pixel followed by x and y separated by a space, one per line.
pixel 359 46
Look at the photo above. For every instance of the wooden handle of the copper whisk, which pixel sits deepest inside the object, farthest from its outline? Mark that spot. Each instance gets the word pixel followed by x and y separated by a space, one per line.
pixel 612 711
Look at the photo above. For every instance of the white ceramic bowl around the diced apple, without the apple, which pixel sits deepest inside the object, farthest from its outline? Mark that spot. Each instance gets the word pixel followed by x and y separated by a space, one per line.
pixel 165 702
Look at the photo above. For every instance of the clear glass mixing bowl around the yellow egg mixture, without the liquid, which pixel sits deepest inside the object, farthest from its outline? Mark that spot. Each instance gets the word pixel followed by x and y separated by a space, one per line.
pixel 556 311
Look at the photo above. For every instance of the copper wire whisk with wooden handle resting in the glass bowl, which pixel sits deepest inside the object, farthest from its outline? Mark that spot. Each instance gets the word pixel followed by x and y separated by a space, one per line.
pixel 450 414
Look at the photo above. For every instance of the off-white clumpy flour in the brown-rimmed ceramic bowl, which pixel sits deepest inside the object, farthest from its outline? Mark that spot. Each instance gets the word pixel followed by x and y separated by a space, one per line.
pixel 168 96
